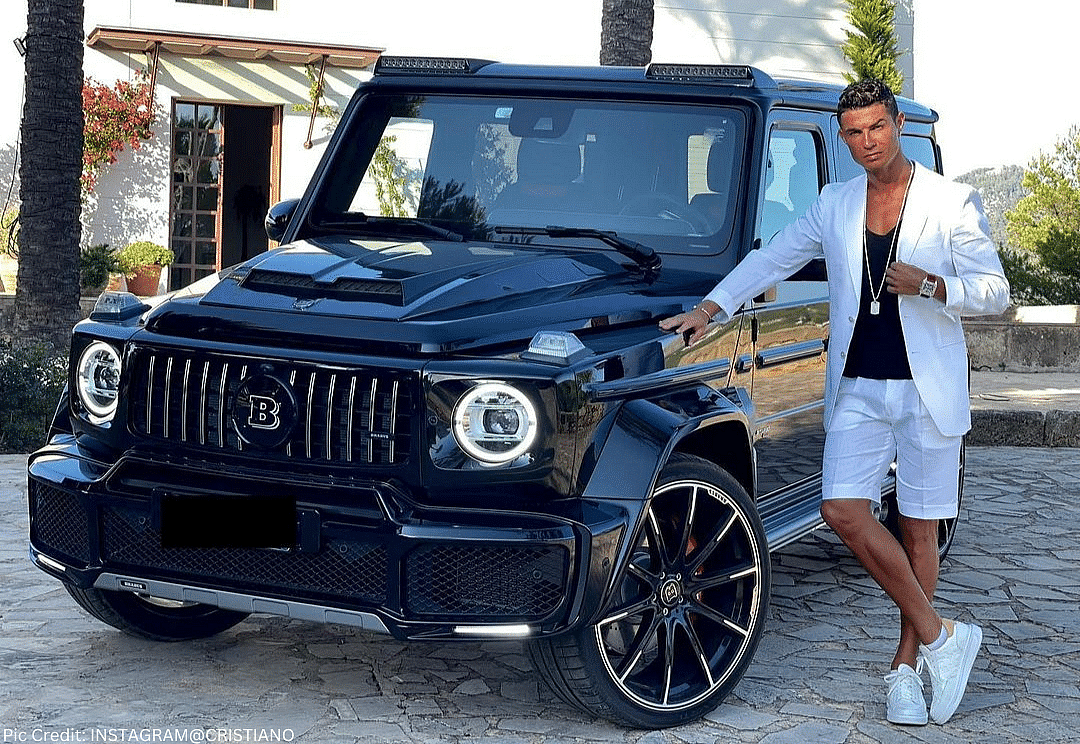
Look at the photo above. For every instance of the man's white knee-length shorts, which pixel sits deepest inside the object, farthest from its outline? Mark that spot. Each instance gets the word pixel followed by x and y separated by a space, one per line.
pixel 876 422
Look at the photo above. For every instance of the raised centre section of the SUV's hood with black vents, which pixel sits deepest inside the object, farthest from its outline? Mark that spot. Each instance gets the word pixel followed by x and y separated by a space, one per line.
pixel 410 281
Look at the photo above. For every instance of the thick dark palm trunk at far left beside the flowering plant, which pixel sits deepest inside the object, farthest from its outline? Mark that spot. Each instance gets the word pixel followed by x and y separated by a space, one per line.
pixel 47 302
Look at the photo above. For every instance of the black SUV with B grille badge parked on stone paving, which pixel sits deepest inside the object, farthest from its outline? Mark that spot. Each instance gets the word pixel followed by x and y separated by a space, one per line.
pixel 443 410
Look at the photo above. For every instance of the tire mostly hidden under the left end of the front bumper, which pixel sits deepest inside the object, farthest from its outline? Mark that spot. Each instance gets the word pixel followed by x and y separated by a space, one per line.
pixel 145 617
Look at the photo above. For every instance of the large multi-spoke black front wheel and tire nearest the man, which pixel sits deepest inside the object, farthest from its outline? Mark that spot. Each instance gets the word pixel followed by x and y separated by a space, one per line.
pixel 686 616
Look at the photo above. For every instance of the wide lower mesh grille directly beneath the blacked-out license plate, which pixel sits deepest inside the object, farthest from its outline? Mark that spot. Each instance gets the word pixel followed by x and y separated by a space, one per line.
pixel 348 570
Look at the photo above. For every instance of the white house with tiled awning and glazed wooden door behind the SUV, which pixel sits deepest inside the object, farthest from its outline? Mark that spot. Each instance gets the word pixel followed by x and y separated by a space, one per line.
pixel 233 84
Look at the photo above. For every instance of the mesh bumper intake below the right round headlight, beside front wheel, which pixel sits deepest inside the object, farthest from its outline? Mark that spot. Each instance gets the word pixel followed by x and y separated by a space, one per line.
pixel 493 581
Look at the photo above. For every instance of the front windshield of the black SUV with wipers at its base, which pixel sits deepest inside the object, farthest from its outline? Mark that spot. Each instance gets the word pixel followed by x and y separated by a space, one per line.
pixel 660 174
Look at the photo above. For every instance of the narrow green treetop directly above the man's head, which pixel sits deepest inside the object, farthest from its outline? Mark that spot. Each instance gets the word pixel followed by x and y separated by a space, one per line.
pixel 873 48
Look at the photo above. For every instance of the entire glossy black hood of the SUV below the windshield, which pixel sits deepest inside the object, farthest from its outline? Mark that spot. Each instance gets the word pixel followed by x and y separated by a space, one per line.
pixel 440 295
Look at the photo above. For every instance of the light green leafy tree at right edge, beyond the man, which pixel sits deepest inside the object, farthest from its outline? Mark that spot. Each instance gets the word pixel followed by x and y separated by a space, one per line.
pixel 1044 260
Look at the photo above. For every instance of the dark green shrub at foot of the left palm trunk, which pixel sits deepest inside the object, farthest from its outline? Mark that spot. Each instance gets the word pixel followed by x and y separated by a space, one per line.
pixel 32 383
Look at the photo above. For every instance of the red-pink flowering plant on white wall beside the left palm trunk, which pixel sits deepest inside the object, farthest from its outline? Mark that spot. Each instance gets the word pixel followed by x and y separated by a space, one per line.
pixel 117 115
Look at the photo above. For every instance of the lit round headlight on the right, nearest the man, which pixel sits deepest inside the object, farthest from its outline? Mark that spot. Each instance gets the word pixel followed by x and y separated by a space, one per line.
pixel 495 424
